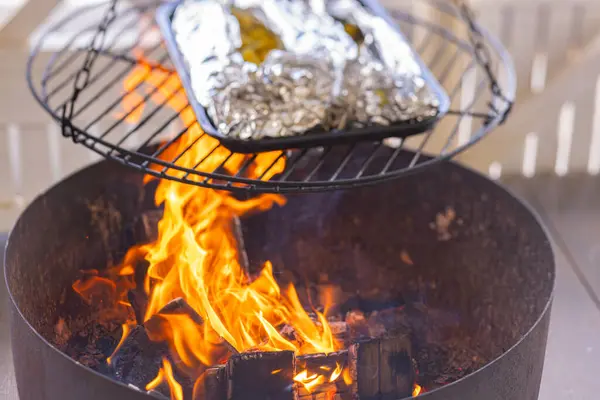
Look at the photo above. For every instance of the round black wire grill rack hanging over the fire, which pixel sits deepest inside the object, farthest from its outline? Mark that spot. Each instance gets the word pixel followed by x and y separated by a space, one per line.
pixel 111 87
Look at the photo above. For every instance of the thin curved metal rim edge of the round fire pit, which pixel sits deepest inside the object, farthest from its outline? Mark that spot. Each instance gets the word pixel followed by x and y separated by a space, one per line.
pixel 476 174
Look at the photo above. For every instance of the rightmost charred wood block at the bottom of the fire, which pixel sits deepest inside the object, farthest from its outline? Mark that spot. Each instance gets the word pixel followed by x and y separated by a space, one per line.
pixel 382 368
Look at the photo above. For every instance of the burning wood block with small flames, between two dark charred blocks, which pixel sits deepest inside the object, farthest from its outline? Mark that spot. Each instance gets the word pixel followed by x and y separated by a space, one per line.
pixel 331 366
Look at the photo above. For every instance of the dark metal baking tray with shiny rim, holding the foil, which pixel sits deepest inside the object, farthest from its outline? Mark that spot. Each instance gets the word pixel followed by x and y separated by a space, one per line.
pixel 312 138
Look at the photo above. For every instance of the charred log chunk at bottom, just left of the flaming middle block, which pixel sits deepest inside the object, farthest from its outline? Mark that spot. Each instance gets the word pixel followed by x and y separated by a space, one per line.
pixel 261 376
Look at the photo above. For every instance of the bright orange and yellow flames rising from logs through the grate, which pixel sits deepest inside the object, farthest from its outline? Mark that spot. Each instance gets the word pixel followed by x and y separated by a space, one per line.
pixel 196 257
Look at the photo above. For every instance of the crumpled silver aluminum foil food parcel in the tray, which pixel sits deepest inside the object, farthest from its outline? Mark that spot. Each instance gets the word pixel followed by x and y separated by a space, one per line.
pixel 274 68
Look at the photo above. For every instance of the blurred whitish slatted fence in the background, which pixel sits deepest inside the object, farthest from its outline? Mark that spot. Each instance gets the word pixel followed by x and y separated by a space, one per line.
pixel 555 126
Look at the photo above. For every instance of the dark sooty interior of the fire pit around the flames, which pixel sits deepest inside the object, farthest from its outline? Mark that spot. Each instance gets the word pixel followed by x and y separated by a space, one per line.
pixel 444 271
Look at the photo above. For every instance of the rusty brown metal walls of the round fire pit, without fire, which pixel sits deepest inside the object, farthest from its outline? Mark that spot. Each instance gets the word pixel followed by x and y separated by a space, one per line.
pixel 449 236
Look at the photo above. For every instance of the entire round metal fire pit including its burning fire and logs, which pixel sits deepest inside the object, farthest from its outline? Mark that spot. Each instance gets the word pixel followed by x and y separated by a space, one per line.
pixel 438 284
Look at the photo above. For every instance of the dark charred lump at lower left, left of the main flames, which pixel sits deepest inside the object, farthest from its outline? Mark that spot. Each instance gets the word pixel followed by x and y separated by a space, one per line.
pixel 138 359
